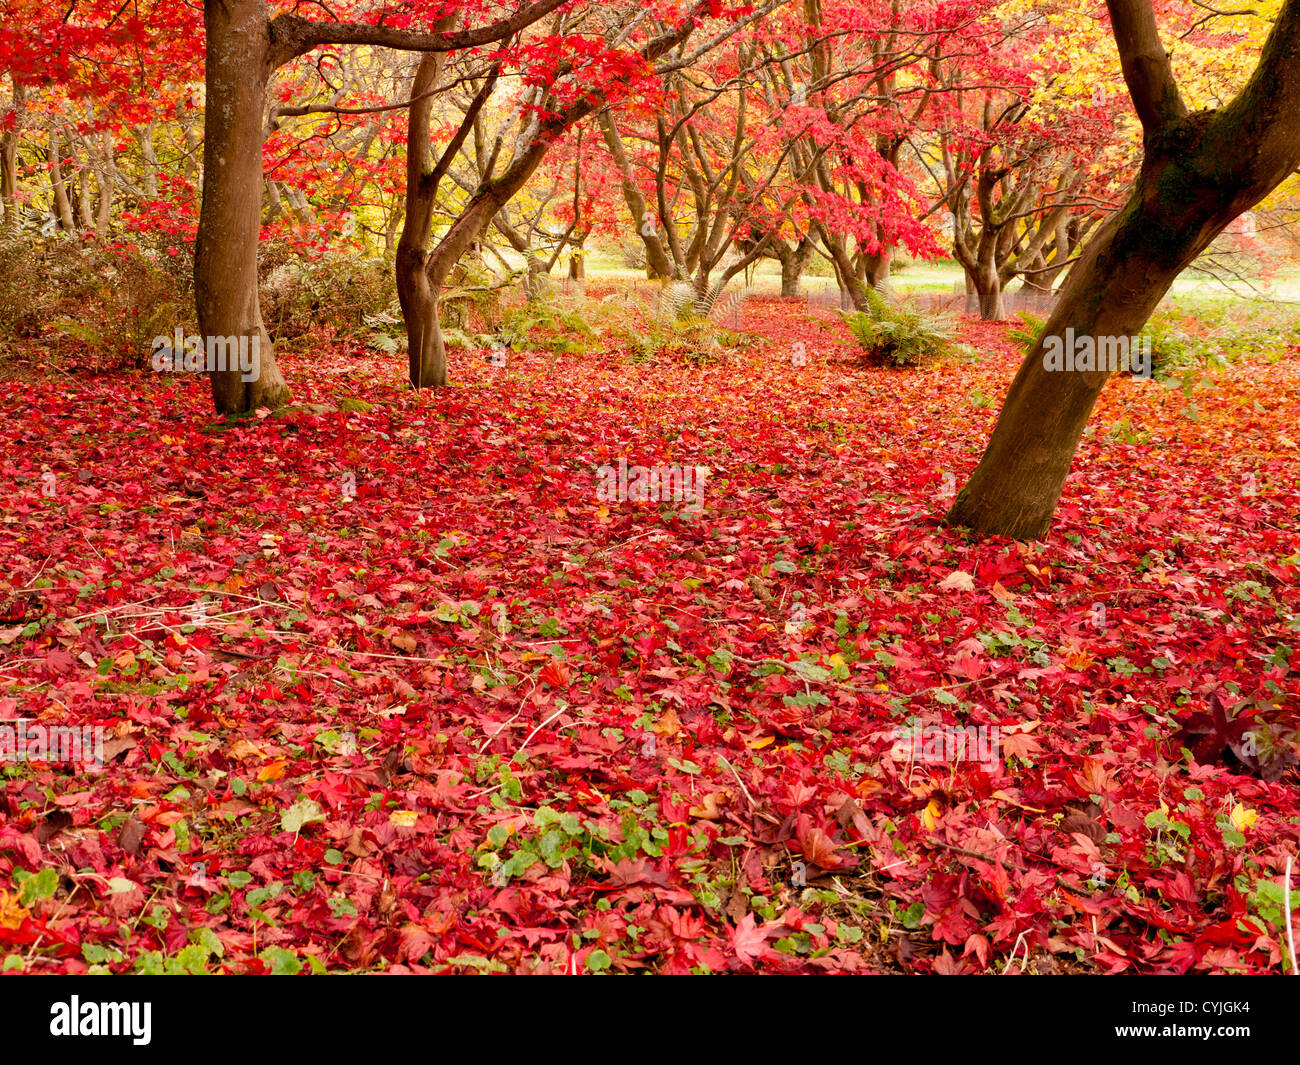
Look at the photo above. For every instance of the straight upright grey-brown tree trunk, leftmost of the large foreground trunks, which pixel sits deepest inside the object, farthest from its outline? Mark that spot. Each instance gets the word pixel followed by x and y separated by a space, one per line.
pixel 226 262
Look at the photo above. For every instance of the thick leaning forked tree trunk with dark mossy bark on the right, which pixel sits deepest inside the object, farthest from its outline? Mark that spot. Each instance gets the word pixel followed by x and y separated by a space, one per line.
pixel 1199 172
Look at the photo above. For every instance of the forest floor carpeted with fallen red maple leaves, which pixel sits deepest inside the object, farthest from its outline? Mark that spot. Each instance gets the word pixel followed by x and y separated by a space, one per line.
pixel 388 685
